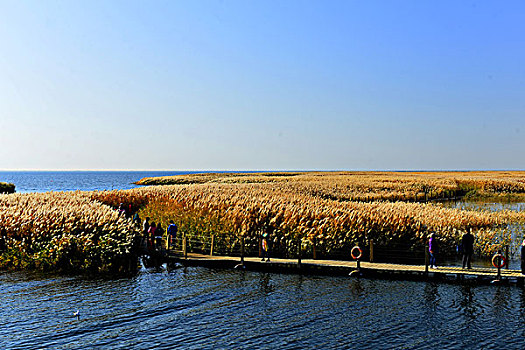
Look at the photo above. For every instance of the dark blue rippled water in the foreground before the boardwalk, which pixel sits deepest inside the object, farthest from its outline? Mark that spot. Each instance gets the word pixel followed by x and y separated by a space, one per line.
pixel 198 308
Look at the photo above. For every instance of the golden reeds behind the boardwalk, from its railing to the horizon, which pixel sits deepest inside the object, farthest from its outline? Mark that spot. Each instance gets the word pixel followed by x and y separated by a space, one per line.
pixel 339 209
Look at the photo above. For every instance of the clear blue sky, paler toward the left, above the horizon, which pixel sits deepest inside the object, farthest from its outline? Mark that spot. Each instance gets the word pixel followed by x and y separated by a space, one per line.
pixel 261 85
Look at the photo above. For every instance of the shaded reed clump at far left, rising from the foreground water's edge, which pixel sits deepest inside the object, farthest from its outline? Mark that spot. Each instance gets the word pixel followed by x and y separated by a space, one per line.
pixel 65 231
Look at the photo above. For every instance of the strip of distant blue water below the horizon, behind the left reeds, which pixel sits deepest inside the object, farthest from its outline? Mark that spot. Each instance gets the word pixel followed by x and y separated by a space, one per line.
pixel 45 181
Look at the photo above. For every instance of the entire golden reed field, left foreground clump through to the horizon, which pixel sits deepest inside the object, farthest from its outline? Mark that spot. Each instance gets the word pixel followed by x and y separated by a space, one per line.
pixel 334 210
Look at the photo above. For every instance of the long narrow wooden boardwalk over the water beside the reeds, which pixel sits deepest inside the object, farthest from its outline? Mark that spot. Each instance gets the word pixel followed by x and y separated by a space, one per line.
pixel 481 275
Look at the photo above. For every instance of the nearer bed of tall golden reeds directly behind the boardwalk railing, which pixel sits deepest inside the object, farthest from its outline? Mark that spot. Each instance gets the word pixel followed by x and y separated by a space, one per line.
pixel 293 216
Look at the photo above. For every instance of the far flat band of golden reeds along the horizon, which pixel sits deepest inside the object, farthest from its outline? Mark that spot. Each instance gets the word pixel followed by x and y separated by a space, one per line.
pixel 372 186
